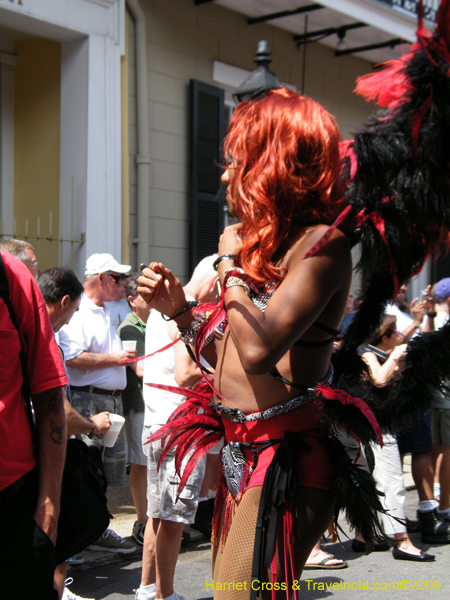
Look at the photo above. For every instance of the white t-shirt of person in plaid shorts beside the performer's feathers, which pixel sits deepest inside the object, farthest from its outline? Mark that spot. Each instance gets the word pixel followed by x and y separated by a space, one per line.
pixel 159 404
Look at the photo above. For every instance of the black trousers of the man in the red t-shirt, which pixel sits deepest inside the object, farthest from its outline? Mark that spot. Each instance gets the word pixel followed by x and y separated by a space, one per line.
pixel 27 555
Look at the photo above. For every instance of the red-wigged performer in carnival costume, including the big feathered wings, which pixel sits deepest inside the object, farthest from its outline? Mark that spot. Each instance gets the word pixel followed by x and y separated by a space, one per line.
pixel 285 272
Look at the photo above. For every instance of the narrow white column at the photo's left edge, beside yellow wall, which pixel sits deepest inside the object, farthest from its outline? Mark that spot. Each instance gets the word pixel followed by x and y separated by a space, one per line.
pixel 7 71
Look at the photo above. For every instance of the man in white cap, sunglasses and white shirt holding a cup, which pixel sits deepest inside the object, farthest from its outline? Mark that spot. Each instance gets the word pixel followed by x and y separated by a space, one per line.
pixel 93 353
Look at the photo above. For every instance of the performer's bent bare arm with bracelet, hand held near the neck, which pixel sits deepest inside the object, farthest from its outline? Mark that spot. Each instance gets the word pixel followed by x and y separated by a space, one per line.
pixel 261 338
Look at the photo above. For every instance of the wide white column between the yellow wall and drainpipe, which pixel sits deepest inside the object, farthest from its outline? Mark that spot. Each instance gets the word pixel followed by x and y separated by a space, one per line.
pixel 90 182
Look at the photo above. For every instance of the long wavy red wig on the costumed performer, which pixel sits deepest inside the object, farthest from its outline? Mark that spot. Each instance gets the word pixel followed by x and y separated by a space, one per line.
pixel 284 150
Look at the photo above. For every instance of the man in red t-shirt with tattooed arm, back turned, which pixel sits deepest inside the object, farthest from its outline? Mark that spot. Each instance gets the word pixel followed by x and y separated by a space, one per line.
pixel 29 493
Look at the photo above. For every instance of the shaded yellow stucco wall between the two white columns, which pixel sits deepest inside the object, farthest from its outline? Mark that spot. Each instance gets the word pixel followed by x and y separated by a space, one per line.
pixel 37 113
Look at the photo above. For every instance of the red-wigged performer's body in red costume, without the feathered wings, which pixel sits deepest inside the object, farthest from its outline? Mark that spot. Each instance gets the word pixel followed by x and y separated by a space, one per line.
pixel 282 315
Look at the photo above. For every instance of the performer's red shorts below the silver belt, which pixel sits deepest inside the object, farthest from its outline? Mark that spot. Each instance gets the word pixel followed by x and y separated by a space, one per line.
pixel 315 467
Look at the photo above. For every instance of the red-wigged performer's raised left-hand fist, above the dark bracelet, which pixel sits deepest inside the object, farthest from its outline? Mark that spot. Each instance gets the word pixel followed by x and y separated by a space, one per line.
pixel 159 287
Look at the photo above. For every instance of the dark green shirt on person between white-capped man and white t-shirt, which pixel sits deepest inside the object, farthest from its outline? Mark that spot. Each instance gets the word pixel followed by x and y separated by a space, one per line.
pixel 133 329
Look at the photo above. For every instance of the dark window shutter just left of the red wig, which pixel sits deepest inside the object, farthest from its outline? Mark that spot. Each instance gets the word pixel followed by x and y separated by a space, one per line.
pixel 207 130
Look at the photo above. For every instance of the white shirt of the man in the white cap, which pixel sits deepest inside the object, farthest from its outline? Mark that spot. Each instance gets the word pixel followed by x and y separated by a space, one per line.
pixel 93 329
